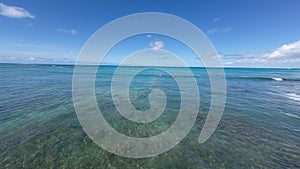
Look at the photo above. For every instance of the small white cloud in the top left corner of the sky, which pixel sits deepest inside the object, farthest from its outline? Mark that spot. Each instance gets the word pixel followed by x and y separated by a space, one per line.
pixel 14 12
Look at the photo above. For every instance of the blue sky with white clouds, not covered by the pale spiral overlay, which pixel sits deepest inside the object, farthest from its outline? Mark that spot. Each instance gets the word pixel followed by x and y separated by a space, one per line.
pixel 244 33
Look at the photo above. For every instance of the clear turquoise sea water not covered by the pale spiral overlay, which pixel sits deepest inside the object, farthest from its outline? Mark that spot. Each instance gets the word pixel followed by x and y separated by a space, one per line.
pixel 260 127
